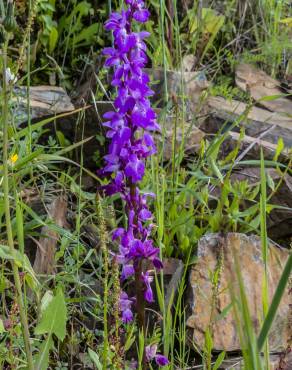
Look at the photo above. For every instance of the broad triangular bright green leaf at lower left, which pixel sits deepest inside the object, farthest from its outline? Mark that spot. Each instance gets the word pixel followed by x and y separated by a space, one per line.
pixel 54 317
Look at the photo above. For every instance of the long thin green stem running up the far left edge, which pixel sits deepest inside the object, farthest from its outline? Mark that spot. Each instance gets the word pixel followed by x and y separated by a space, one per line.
pixel 5 118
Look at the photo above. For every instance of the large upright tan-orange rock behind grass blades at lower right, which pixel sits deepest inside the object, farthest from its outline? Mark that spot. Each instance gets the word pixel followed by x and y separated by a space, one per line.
pixel 248 249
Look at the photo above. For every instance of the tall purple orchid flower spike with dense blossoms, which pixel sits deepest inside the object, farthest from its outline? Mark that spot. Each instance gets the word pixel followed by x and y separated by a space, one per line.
pixel 130 128
